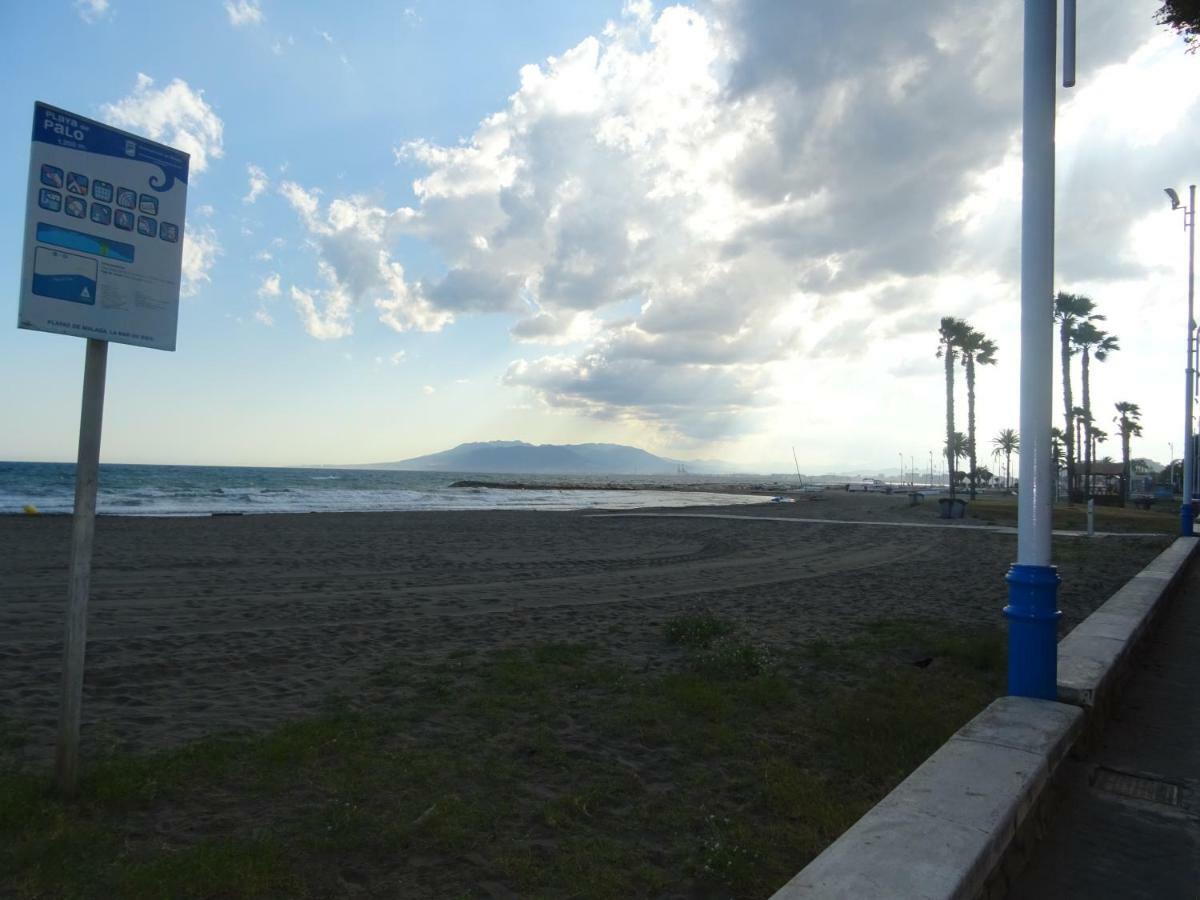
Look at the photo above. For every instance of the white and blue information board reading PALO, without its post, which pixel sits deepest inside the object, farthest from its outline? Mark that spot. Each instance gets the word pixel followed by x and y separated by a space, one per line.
pixel 104 233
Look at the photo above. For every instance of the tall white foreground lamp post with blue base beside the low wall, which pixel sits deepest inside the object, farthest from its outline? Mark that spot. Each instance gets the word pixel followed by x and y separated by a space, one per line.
pixel 1033 608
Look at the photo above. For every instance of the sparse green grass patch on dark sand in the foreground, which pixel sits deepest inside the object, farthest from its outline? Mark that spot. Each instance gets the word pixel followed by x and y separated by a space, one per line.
pixel 548 771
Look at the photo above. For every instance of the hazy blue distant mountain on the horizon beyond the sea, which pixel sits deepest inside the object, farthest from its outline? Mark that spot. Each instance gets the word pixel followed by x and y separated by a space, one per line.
pixel 519 458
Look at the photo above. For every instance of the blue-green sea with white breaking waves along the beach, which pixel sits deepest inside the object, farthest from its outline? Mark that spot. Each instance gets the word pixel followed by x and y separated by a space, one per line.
pixel 206 490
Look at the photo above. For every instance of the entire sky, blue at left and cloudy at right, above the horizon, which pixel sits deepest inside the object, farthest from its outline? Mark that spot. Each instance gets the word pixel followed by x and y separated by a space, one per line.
pixel 712 231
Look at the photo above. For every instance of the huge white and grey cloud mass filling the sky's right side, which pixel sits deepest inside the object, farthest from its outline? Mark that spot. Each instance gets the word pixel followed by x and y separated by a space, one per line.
pixel 704 209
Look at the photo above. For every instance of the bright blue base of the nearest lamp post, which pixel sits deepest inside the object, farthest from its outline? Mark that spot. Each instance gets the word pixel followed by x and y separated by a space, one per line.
pixel 1034 617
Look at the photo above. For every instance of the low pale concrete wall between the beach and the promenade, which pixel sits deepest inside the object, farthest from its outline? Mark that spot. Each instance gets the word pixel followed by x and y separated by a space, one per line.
pixel 946 830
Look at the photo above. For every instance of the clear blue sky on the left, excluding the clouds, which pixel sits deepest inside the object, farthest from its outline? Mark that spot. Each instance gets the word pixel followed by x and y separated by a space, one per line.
pixel 346 87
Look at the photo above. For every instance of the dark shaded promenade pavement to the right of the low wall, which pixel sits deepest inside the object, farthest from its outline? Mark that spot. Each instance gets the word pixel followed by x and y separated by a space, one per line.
pixel 1130 823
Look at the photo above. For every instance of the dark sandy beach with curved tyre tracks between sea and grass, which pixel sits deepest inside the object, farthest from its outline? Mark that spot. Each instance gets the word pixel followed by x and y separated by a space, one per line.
pixel 218 625
